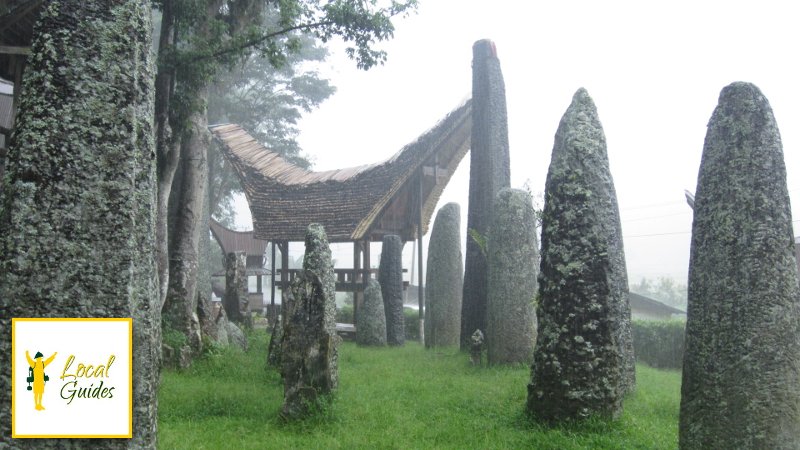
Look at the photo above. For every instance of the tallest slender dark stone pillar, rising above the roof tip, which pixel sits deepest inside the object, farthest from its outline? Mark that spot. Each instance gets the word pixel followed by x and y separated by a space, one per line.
pixel 489 172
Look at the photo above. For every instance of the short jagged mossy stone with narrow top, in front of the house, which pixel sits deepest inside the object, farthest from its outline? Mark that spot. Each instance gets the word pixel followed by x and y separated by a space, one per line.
pixel 309 349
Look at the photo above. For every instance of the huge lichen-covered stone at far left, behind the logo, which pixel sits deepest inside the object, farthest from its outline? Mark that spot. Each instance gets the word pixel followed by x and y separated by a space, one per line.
pixel 78 216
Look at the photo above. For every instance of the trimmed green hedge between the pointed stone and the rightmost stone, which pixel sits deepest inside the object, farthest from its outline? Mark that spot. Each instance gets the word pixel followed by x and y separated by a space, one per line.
pixel 659 344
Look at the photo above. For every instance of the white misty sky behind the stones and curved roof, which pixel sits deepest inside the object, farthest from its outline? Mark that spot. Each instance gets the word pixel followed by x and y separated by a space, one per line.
pixel 654 70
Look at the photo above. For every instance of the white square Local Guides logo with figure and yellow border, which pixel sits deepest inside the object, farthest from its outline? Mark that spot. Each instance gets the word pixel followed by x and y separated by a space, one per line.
pixel 83 389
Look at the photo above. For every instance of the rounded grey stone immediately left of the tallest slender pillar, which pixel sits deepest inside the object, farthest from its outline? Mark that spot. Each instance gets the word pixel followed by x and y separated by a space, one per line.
pixel 444 279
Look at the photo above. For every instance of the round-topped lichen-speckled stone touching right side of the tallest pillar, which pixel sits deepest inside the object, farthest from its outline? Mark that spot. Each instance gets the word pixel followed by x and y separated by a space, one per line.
pixel 513 253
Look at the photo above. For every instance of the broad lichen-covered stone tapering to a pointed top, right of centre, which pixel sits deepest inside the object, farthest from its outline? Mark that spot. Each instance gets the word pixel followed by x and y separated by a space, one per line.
pixel 583 363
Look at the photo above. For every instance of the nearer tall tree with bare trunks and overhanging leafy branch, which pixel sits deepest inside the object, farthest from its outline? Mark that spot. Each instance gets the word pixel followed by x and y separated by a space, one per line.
pixel 198 41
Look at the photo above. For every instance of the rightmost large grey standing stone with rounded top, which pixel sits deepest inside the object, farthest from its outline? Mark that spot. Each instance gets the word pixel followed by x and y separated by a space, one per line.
pixel 741 387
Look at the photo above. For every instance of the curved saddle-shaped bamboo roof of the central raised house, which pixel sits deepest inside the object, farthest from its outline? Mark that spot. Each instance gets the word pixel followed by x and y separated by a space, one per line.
pixel 364 202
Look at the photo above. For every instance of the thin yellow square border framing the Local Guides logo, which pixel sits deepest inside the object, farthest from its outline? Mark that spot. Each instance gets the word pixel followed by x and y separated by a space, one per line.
pixel 14 321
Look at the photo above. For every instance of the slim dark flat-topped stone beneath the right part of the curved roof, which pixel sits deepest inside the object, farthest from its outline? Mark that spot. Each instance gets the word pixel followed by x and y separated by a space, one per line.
pixel 390 276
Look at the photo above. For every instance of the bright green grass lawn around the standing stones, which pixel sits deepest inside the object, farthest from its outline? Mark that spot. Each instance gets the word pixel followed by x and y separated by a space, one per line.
pixel 395 398
